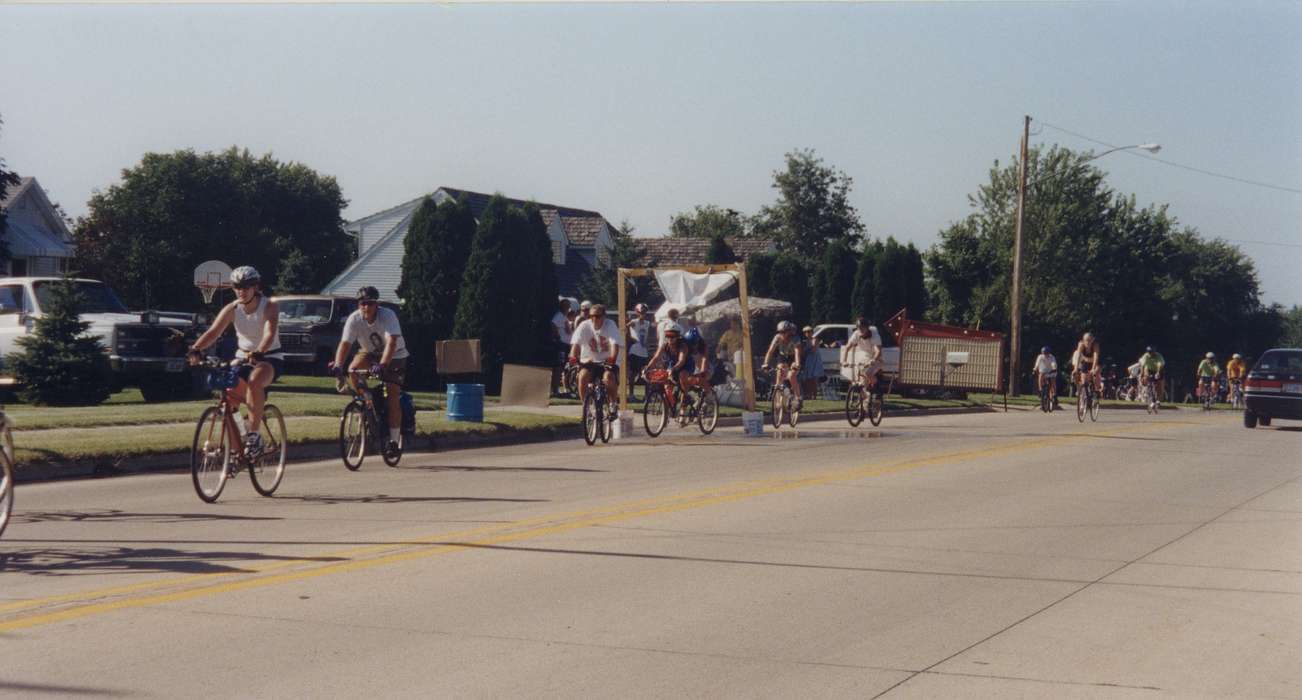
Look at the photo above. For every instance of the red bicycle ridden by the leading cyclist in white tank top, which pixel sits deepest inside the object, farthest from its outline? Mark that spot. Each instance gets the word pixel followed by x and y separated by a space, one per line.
pixel 218 452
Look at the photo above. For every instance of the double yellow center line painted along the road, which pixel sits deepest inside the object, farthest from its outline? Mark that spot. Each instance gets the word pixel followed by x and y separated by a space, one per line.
pixel 499 534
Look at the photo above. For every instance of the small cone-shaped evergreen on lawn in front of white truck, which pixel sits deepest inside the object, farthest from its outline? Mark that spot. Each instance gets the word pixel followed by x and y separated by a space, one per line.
pixel 61 364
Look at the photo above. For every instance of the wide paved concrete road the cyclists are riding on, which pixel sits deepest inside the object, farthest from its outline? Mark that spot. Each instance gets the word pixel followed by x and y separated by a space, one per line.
pixel 958 556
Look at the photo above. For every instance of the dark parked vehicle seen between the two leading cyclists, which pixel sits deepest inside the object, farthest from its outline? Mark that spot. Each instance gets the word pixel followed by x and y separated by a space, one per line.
pixel 311 329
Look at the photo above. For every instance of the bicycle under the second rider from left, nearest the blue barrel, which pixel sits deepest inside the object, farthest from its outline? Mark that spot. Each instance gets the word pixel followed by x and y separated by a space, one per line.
pixel 365 422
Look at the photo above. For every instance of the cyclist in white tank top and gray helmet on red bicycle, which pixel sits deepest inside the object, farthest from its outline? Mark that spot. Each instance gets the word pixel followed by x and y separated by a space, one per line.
pixel 257 321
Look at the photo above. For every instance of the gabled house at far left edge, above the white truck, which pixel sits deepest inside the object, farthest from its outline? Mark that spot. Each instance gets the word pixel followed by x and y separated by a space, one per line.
pixel 40 241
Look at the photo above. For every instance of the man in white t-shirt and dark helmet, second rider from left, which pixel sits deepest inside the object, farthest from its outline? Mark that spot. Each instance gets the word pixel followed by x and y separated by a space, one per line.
pixel 382 349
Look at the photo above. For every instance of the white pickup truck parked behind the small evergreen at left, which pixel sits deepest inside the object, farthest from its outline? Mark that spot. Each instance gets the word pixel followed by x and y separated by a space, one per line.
pixel 145 351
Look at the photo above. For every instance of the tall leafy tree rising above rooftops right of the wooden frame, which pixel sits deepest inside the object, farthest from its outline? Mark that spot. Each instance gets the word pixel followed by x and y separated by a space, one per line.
pixel 813 209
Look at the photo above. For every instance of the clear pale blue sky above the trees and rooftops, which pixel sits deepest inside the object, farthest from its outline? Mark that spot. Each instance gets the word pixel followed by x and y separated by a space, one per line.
pixel 644 111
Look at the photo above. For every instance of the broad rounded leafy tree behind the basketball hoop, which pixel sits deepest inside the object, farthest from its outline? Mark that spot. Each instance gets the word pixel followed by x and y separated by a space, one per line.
pixel 173 211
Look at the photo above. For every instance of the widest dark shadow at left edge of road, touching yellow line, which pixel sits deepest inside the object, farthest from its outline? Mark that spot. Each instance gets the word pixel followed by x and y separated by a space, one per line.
pixel 128 560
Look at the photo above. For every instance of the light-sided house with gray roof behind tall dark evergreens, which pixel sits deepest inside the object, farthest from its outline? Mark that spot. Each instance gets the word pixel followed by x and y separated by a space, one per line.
pixel 581 239
